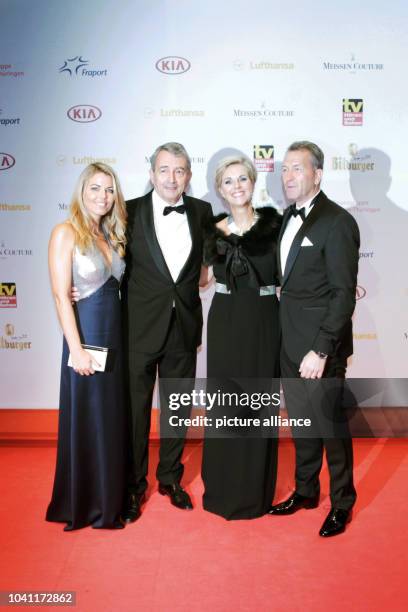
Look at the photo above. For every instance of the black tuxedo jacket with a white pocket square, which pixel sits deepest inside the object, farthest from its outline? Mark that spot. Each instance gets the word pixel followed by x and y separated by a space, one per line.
pixel 318 287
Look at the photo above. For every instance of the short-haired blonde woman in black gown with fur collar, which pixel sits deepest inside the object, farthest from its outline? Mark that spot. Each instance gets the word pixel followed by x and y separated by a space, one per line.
pixel 239 469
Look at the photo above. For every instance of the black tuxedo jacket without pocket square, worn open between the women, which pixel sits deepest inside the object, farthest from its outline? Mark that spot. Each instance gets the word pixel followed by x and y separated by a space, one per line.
pixel 149 289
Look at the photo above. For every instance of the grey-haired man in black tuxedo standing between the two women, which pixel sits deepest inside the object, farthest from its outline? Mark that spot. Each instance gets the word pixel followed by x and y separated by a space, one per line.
pixel 164 315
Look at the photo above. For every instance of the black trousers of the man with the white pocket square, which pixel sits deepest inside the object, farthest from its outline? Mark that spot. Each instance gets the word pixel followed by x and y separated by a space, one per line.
pixel 321 401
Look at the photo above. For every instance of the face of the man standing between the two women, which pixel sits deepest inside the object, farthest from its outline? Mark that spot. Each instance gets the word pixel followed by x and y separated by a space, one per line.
pixel 170 176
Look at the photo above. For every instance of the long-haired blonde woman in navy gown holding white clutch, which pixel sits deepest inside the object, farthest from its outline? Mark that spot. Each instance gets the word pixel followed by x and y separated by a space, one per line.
pixel 87 251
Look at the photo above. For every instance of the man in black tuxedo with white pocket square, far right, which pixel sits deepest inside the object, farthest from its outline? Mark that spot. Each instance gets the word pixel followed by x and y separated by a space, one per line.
pixel 318 251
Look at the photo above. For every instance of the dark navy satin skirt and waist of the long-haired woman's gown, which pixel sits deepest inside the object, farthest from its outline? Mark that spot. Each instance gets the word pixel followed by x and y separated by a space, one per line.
pixel 89 478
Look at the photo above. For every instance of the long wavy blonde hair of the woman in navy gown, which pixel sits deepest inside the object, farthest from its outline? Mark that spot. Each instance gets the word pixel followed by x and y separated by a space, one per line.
pixel 113 223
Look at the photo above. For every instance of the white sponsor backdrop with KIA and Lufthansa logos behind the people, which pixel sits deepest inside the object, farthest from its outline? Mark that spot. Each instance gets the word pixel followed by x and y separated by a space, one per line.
pixel 240 76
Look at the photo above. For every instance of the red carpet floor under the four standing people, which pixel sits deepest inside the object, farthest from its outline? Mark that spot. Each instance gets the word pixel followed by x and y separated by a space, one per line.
pixel 172 560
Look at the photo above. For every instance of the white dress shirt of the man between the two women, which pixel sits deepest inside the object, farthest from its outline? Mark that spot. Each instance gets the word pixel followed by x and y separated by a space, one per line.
pixel 173 235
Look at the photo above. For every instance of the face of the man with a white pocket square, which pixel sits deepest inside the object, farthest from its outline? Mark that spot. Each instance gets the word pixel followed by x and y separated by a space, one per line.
pixel 300 178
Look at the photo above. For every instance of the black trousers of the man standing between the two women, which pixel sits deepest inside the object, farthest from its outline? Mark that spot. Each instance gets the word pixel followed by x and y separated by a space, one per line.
pixel 172 361
